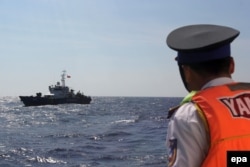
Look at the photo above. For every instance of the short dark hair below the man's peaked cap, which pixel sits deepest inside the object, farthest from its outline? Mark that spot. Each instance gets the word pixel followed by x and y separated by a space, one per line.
pixel 213 67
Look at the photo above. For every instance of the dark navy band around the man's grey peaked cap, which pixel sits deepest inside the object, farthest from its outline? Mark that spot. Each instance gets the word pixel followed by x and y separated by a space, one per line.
pixel 204 55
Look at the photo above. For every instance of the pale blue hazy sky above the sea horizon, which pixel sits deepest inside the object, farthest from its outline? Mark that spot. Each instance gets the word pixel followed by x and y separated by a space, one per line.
pixel 108 47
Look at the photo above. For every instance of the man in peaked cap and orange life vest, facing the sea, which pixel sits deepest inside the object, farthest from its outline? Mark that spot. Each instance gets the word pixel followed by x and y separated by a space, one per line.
pixel 202 129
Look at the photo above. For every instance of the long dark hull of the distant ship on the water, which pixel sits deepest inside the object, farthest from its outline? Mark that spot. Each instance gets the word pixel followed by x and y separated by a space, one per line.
pixel 39 101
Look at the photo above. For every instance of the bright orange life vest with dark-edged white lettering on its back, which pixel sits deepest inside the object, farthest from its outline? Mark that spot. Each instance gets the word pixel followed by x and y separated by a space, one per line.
pixel 227 112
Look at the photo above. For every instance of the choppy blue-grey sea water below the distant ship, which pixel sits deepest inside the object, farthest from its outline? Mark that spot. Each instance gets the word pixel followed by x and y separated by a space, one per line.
pixel 109 132
